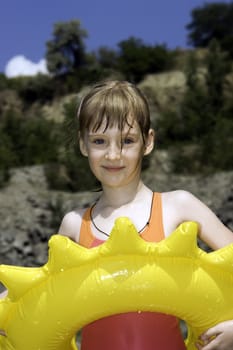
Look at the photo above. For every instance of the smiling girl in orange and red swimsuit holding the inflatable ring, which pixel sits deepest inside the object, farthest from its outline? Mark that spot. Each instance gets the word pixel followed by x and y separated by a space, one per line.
pixel 115 135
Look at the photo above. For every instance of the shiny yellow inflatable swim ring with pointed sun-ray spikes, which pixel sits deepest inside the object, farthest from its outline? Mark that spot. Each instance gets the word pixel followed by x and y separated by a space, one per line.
pixel 46 306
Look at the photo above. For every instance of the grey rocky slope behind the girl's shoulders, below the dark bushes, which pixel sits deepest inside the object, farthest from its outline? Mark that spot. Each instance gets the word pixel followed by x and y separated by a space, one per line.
pixel 30 213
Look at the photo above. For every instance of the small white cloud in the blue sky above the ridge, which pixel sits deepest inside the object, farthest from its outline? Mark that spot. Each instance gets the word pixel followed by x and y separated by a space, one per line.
pixel 21 66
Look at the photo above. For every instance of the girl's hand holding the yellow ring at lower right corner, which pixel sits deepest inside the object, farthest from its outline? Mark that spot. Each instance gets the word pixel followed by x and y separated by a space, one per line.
pixel 219 337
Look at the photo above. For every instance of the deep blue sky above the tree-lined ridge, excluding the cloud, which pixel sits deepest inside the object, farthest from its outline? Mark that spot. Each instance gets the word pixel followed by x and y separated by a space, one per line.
pixel 26 25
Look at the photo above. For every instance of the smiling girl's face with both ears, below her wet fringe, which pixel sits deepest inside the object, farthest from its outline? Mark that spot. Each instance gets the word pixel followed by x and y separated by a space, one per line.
pixel 115 156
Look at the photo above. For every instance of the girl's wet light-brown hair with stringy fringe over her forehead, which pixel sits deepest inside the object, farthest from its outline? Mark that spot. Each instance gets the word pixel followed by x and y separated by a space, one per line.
pixel 112 103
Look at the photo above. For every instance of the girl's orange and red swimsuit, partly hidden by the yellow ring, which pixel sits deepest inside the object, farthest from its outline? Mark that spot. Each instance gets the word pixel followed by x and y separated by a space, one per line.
pixel 132 330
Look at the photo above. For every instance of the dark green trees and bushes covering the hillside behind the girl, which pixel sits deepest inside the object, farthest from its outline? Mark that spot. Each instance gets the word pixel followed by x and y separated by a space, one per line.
pixel 198 132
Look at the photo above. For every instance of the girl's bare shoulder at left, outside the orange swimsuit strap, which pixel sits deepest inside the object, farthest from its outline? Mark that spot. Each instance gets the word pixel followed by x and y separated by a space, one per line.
pixel 71 224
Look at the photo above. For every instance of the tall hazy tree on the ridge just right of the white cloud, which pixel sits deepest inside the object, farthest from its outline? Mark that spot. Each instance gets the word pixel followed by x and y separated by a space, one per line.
pixel 66 50
